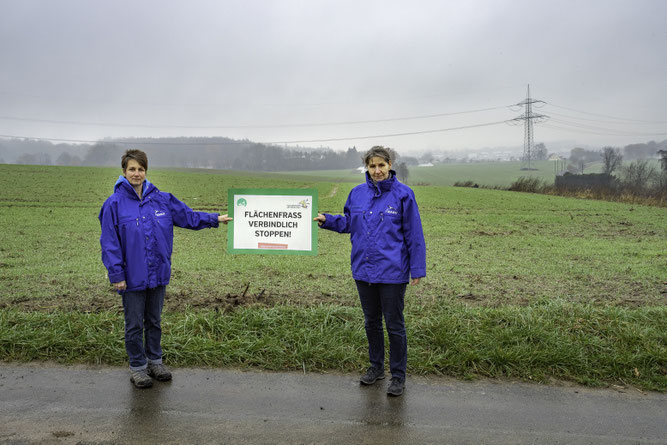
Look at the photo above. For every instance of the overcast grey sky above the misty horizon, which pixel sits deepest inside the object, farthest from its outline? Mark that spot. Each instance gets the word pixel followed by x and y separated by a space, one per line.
pixel 288 71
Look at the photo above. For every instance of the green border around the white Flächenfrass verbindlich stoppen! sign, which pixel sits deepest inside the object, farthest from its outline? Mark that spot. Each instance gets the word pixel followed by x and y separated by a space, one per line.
pixel 231 205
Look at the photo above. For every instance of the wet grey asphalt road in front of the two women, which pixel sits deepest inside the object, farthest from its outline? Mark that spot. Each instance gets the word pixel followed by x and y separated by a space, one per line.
pixel 89 405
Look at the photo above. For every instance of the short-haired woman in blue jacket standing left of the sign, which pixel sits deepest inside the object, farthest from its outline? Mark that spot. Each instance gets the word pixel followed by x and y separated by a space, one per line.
pixel 137 238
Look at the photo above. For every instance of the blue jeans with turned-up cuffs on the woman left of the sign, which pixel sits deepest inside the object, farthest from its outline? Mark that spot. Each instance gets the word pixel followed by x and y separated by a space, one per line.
pixel 143 310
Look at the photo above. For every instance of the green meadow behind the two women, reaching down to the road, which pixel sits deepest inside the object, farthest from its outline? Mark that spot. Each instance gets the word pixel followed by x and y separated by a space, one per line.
pixel 524 286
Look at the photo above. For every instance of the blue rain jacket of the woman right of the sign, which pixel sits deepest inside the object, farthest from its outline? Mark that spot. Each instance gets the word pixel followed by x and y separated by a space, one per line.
pixel 385 230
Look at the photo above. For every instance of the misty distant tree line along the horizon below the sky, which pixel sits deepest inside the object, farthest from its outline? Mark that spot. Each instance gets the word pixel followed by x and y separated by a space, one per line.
pixel 224 153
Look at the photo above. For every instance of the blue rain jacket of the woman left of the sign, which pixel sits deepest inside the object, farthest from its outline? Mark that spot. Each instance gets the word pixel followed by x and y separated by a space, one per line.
pixel 137 235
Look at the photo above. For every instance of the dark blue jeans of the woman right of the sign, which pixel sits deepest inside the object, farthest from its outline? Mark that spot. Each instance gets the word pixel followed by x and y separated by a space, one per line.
pixel 378 300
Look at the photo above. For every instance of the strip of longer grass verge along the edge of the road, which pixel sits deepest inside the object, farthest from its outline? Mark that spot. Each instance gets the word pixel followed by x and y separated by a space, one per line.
pixel 582 343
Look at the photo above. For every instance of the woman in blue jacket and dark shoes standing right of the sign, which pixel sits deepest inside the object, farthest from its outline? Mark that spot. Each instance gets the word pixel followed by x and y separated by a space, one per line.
pixel 388 249
